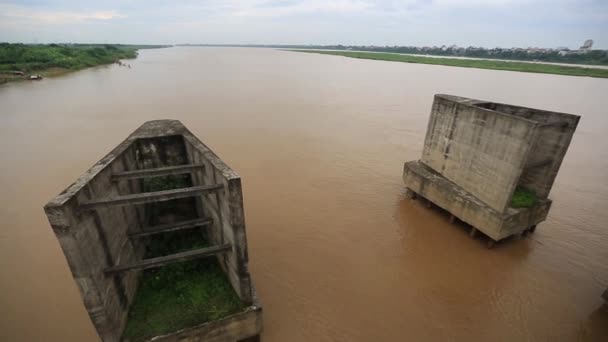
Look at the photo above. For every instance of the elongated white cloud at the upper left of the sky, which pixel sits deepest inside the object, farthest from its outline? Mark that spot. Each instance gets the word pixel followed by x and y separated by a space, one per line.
pixel 55 16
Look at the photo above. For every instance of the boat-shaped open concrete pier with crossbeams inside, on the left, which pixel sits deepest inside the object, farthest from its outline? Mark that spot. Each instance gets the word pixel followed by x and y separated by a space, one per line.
pixel 160 181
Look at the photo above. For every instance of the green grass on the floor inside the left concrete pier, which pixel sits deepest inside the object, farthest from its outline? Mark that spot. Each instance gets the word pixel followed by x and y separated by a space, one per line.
pixel 180 295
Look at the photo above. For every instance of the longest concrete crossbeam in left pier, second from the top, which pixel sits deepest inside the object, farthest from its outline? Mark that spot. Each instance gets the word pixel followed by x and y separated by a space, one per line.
pixel 150 197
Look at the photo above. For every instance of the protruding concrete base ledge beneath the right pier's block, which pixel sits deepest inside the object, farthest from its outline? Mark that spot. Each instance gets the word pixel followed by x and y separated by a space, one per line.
pixel 429 184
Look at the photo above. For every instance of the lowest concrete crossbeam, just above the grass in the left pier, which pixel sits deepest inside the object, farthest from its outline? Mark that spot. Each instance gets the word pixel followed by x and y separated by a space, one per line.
pixel 170 259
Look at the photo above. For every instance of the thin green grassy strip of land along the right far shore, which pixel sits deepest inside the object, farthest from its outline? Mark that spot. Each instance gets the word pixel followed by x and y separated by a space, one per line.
pixel 471 63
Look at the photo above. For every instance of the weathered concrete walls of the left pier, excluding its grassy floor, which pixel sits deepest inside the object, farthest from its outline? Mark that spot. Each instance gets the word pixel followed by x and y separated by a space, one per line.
pixel 96 218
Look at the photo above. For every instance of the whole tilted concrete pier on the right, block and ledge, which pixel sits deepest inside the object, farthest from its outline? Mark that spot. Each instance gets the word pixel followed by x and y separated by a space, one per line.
pixel 476 153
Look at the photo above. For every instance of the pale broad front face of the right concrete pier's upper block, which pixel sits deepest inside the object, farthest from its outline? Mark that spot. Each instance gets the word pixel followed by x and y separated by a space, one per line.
pixel 480 150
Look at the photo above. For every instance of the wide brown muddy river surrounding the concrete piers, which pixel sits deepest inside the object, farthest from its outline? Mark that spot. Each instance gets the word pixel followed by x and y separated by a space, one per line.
pixel 336 252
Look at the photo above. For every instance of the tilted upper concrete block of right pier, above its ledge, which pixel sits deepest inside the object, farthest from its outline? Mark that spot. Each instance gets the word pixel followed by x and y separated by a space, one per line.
pixel 489 149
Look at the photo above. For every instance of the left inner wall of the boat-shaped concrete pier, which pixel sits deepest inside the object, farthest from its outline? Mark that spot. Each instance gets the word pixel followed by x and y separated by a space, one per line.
pixel 94 240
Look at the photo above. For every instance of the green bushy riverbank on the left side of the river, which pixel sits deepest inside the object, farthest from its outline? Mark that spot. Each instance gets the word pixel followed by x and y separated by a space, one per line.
pixel 19 61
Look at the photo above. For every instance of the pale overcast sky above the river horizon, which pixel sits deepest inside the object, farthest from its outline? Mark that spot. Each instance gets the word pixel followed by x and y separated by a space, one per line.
pixel 488 23
